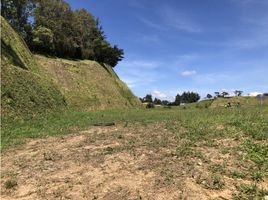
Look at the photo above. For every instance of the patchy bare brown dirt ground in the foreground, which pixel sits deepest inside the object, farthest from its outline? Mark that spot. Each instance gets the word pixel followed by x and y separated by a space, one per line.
pixel 125 161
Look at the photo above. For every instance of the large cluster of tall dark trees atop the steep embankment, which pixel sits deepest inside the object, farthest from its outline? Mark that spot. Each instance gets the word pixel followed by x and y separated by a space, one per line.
pixel 51 27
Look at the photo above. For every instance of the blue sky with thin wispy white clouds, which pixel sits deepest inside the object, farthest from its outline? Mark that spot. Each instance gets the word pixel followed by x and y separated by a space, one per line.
pixel 173 46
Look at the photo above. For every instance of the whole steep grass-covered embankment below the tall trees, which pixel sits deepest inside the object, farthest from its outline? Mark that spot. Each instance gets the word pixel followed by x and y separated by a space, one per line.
pixel 35 84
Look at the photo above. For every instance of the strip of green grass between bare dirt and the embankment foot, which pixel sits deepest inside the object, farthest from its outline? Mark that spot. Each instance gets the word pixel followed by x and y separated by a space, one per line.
pixel 201 124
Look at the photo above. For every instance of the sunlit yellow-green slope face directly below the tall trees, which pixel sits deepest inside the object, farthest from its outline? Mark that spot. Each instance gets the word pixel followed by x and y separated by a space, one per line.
pixel 87 85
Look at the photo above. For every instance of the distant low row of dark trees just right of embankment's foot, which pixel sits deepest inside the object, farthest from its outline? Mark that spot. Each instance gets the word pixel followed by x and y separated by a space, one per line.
pixel 185 97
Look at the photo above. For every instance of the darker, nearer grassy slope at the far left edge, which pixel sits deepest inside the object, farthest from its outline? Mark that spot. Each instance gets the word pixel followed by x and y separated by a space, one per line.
pixel 24 91
